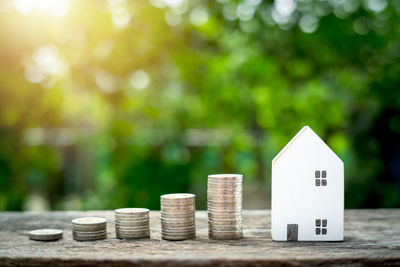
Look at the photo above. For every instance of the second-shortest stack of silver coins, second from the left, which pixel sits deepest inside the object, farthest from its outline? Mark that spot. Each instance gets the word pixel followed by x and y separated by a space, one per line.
pixel 89 229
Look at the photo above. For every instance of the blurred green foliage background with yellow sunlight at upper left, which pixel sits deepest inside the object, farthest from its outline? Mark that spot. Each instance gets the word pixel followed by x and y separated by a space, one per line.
pixel 107 104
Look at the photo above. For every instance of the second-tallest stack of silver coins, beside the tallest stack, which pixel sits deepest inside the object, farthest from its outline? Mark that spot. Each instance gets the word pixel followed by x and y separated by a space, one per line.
pixel 178 216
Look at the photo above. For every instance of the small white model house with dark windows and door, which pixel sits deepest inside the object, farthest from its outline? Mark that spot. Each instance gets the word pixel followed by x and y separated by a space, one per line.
pixel 307 191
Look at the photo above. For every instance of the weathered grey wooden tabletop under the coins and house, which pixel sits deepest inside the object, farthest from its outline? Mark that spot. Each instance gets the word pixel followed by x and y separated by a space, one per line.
pixel 372 237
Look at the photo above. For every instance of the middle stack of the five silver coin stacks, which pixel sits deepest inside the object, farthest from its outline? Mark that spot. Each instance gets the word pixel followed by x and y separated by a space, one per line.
pixel 132 223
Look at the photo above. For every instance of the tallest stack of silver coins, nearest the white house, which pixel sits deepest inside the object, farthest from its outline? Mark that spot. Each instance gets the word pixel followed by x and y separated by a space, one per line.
pixel 224 206
